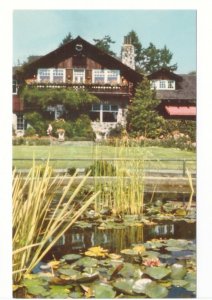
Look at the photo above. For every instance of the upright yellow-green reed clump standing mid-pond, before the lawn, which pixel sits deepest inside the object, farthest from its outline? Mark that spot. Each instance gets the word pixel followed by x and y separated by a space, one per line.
pixel 122 184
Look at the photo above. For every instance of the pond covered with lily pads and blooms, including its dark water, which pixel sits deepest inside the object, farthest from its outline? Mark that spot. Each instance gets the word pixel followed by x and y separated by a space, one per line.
pixel 127 256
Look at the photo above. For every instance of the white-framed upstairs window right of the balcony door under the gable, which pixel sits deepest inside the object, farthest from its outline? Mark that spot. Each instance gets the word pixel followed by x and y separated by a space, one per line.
pixel 103 76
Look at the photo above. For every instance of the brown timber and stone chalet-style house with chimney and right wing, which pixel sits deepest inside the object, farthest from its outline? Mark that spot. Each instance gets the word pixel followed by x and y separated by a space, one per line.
pixel 80 65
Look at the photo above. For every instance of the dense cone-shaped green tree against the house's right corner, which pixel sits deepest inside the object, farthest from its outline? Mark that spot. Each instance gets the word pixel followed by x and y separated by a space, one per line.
pixel 142 117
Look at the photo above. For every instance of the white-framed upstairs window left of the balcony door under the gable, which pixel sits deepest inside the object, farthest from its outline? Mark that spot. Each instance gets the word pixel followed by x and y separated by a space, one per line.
pixel 51 75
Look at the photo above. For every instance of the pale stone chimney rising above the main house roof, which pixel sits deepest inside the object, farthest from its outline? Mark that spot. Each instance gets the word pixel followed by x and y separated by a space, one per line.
pixel 128 53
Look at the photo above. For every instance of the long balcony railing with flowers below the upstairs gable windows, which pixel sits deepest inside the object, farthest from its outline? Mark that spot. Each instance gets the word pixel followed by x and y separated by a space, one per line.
pixel 94 88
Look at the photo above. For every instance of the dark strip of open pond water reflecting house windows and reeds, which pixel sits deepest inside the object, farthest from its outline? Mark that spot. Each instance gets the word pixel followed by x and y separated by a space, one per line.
pixel 78 240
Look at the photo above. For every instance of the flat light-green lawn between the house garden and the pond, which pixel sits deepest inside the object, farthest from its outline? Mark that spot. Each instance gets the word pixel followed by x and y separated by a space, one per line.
pixel 74 152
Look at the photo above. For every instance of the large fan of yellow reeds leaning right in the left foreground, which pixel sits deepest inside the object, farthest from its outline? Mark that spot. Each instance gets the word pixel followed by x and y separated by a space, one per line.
pixel 37 225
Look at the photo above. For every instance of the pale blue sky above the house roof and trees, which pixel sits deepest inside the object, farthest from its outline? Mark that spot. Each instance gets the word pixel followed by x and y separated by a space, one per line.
pixel 37 32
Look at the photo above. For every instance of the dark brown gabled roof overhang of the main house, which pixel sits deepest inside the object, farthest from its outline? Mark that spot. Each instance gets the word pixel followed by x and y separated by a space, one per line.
pixel 53 58
